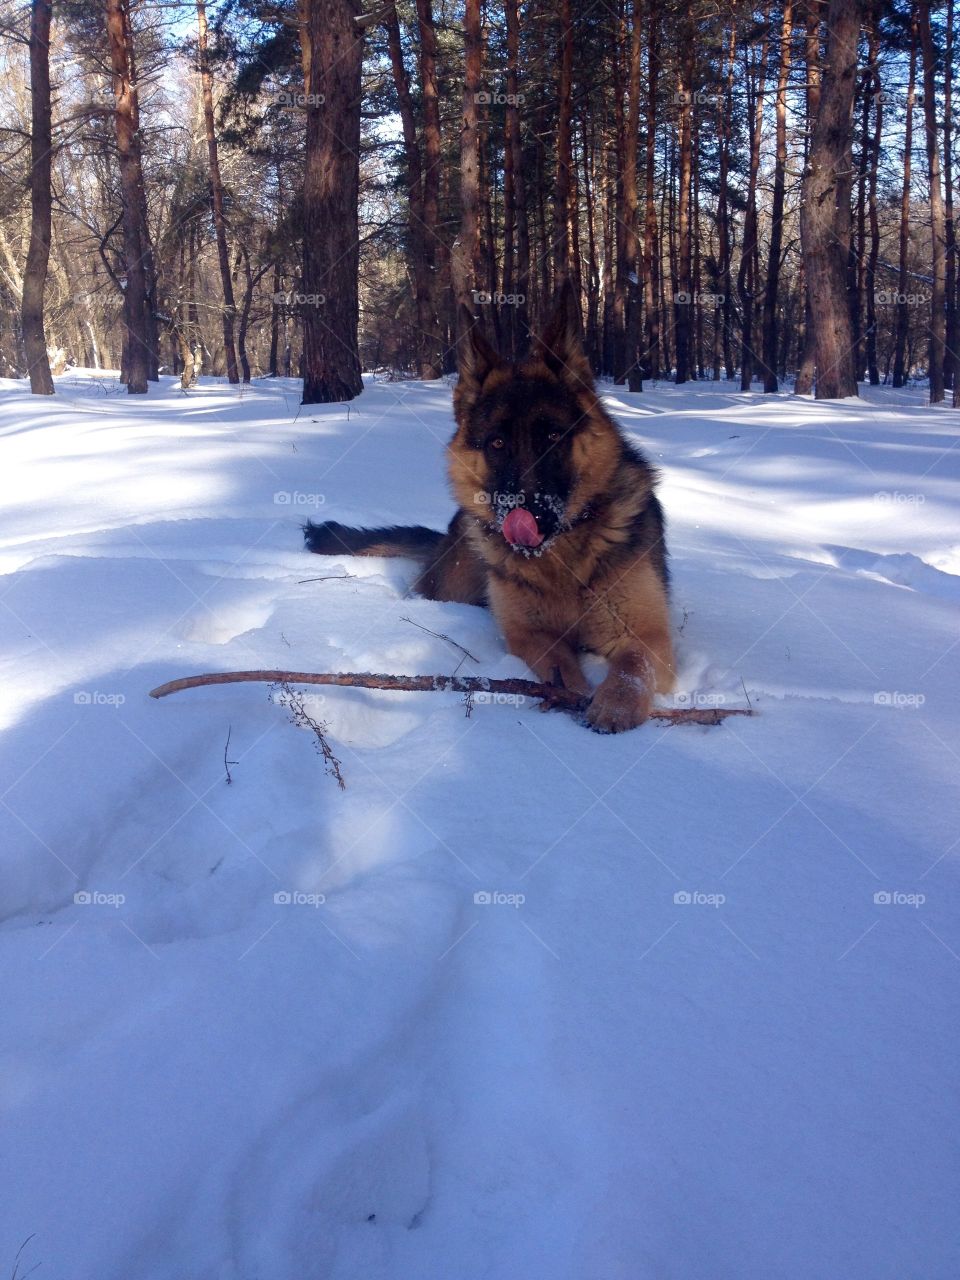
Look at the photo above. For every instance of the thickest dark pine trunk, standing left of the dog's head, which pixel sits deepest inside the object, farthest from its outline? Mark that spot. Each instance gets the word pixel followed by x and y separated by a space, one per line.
pixel 332 48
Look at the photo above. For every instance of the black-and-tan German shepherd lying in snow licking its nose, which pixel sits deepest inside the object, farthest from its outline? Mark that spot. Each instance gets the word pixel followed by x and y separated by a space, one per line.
pixel 559 528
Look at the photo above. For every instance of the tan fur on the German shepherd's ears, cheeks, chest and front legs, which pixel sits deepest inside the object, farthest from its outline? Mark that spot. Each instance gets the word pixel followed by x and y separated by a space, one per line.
pixel 584 592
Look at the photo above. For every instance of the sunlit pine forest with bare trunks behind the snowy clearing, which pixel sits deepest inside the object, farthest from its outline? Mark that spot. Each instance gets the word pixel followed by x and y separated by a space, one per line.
pixel 746 193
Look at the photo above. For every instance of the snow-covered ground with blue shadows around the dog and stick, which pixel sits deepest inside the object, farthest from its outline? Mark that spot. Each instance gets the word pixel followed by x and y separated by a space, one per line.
pixel 706 1026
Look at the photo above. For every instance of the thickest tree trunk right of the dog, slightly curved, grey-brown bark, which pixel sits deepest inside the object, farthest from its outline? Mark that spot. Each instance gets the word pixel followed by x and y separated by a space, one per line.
pixel 825 213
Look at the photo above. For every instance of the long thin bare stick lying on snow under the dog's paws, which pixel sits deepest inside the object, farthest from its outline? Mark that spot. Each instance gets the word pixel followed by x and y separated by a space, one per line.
pixel 550 696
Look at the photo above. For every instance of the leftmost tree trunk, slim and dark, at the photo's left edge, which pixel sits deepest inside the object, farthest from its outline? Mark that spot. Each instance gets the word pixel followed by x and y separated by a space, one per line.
pixel 42 382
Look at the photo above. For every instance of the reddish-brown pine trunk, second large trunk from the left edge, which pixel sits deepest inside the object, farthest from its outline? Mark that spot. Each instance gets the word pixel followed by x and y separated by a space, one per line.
pixel 136 358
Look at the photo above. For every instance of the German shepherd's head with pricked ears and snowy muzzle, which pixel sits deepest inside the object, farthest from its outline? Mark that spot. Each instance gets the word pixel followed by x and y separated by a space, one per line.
pixel 533 445
